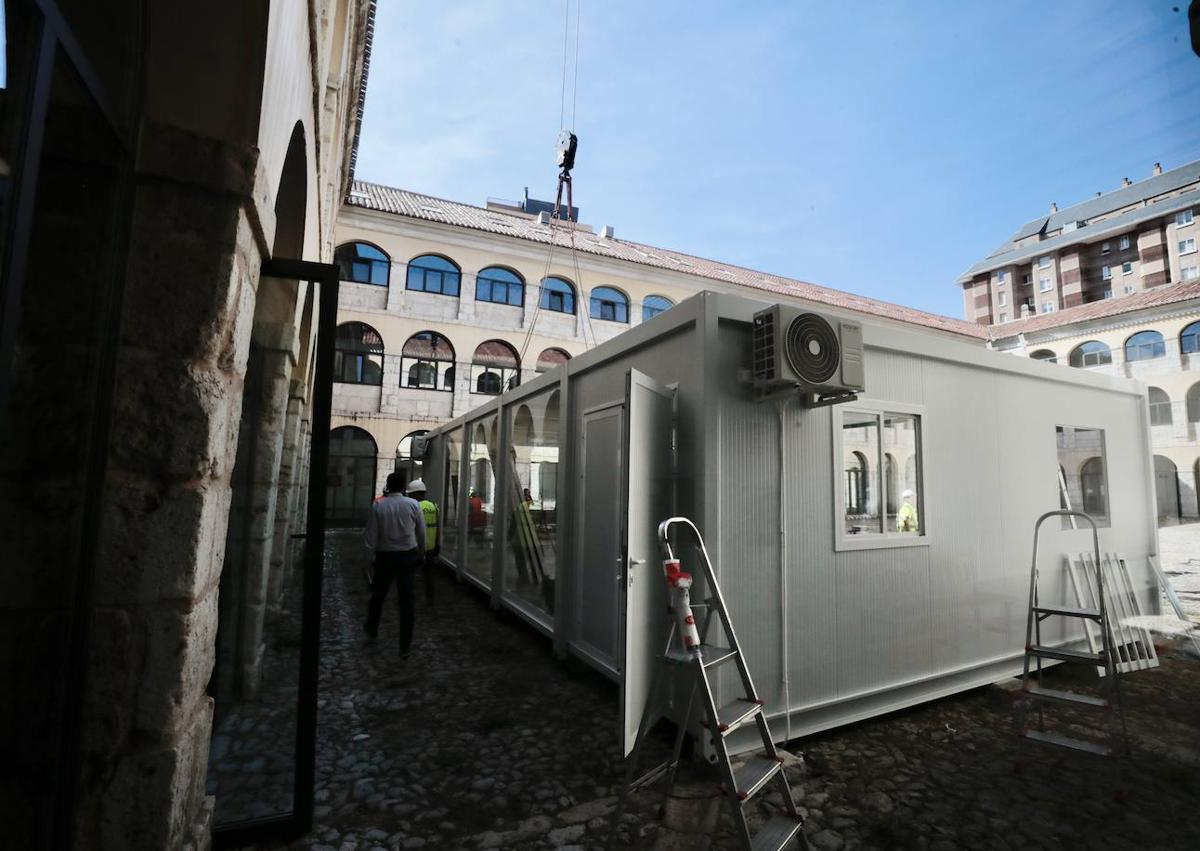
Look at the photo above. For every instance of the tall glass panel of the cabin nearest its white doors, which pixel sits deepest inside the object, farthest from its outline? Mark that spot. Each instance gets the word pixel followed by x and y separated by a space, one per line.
pixel 531 561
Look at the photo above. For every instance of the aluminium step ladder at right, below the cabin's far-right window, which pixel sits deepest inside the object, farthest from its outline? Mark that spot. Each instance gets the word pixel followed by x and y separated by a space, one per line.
pixel 1035 696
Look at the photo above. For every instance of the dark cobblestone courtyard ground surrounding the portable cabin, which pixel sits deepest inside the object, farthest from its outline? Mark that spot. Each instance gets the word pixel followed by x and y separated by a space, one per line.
pixel 482 740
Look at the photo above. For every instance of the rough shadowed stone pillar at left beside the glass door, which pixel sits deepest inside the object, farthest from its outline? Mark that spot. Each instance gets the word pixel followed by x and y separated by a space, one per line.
pixel 194 268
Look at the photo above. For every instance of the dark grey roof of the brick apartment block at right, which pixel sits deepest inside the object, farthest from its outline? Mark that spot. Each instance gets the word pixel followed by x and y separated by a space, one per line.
pixel 1142 193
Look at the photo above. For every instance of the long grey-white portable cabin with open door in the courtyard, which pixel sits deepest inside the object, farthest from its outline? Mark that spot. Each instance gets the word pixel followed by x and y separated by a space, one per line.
pixel 848 604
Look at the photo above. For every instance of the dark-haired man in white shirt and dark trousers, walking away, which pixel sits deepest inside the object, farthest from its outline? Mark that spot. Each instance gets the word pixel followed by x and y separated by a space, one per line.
pixel 397 532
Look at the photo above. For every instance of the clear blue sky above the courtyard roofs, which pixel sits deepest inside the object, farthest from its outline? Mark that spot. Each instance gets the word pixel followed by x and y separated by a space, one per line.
pixel 879 148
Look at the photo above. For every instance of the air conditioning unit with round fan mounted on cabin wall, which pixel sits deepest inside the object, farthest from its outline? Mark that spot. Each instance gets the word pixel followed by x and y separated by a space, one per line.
pixel 800 352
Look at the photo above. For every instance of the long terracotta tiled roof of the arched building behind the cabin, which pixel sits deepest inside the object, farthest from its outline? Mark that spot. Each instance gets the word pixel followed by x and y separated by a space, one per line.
pixel 405 203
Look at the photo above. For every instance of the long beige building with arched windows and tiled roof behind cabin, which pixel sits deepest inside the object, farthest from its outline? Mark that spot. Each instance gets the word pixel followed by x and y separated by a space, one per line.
pixel 380 400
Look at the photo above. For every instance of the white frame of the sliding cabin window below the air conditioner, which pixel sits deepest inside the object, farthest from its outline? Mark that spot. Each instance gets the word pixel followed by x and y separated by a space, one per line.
pixel 883 541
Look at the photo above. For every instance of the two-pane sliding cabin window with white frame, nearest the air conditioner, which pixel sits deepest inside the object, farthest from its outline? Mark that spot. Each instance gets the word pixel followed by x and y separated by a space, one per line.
pixel 879 478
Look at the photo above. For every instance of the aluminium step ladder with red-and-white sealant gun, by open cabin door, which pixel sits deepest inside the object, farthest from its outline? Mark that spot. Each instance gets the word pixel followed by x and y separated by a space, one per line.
pixel 692 651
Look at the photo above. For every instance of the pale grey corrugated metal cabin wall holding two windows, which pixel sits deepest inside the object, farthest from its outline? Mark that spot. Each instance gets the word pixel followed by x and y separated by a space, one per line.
pixel 866 622
